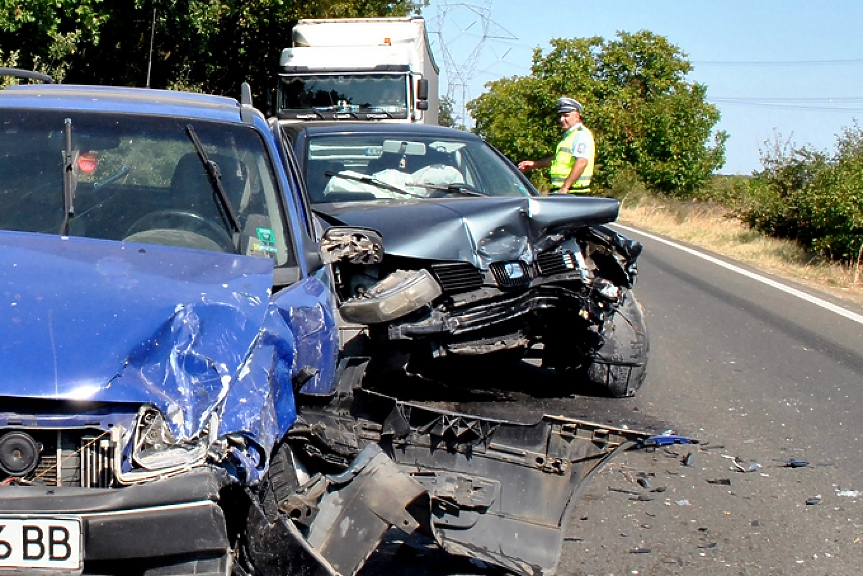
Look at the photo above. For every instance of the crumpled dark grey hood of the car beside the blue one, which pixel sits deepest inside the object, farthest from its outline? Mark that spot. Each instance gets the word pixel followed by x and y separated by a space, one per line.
pixel 475 230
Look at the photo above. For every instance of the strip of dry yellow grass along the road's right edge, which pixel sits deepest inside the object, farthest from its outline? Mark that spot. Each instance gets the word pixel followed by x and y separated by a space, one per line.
pixel 711 226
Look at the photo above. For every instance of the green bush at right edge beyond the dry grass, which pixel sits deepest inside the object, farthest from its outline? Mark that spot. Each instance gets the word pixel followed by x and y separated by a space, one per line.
pixel 811 197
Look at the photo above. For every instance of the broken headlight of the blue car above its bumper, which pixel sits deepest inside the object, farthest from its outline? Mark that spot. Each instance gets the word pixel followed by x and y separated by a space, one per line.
pixel 155 450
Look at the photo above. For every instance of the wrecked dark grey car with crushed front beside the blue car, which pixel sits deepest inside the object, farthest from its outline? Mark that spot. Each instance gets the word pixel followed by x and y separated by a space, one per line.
pixel 476 263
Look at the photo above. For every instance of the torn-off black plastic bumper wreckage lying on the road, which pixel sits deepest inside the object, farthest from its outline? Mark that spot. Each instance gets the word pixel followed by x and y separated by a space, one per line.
pixel 496 491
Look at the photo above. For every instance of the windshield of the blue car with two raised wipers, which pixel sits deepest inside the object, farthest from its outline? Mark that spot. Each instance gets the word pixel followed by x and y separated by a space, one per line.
pixel 140 179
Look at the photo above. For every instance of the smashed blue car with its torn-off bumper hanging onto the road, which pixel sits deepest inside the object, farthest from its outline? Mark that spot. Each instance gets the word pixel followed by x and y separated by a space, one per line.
pixel 173 399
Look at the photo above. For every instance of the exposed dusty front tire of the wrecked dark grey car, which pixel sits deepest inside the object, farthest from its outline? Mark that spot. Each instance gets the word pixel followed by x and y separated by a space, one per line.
pixel 619 364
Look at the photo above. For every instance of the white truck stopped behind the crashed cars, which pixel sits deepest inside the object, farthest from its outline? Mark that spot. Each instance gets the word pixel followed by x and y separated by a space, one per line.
pixel 378 69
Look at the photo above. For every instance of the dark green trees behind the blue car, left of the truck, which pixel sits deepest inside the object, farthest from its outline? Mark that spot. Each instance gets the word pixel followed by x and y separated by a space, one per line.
pixel 204 45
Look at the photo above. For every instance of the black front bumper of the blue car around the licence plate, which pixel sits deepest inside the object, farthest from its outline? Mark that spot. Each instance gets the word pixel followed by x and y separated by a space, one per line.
pixel 165 521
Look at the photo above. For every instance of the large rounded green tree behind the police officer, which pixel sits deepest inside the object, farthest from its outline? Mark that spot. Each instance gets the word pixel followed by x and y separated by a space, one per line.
pixel 644 115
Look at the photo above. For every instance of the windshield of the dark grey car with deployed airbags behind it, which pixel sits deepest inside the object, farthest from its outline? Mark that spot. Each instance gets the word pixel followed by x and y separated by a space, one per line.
pixel 346 168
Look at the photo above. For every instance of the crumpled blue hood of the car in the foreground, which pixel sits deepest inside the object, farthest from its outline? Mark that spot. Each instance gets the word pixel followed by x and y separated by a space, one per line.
pixel 189 332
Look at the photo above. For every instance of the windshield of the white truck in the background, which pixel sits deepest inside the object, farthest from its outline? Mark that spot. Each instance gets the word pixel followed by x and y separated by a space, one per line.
pixel 381 95
